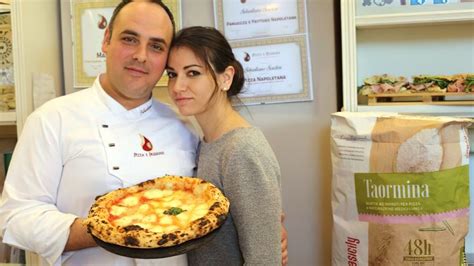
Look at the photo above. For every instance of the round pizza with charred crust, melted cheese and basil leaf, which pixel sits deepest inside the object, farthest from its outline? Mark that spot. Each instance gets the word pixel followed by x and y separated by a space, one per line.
pixel 161 212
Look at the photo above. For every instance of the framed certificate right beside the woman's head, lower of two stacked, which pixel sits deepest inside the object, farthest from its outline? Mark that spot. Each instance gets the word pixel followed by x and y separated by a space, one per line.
pixel 276 70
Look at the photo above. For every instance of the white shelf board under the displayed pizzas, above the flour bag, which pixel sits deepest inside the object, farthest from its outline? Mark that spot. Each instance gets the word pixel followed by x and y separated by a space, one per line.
pixel 437 110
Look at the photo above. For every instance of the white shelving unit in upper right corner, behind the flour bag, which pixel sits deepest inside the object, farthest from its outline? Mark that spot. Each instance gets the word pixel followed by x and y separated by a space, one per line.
pixel 415 32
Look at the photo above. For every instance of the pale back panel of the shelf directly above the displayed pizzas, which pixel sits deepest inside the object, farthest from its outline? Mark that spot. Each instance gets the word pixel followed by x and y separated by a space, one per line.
pixel 401 51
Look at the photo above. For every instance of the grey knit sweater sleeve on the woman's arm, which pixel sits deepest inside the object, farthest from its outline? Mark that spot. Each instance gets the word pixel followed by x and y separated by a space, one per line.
pixel 251 182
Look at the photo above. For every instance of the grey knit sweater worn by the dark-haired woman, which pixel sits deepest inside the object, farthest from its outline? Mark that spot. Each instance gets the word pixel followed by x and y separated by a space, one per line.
pixel 242 164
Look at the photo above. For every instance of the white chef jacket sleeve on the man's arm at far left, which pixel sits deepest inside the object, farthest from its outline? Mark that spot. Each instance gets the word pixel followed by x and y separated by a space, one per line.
pixel 29 218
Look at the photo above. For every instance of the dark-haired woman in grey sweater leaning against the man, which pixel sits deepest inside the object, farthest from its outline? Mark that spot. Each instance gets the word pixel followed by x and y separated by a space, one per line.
pixel 203 77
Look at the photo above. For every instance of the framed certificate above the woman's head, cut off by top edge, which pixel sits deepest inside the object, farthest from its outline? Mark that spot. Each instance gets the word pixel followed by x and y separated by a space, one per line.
pixel 256 19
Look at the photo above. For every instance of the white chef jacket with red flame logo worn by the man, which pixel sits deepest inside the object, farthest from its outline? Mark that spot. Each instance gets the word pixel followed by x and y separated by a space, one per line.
pixel 76 147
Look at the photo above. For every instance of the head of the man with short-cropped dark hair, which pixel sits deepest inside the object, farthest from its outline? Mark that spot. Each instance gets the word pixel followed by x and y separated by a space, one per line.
pixel 136 52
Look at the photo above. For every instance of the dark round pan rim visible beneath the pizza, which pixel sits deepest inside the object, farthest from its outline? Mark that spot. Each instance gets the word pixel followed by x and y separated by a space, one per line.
pixel 154 253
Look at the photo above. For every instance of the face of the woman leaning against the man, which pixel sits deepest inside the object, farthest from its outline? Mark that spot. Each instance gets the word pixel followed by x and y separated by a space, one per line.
pixel 190 83
